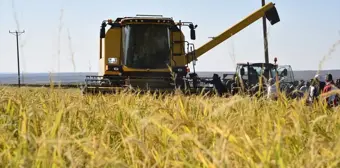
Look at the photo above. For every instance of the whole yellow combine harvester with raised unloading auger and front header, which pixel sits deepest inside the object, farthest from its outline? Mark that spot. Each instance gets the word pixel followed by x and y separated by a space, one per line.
pixel 148 52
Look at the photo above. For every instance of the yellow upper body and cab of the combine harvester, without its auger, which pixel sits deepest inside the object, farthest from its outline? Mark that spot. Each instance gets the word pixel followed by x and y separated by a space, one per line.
pixel 145 43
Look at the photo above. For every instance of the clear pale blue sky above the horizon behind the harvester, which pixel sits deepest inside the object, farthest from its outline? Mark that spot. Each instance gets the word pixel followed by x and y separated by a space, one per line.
pixel 306 33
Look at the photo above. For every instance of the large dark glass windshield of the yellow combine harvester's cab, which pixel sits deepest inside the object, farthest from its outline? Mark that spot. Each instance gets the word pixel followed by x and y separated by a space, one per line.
pixel 146 46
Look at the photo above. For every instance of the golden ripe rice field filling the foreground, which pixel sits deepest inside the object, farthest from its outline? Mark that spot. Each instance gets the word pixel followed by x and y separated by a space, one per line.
pixel 62 128
